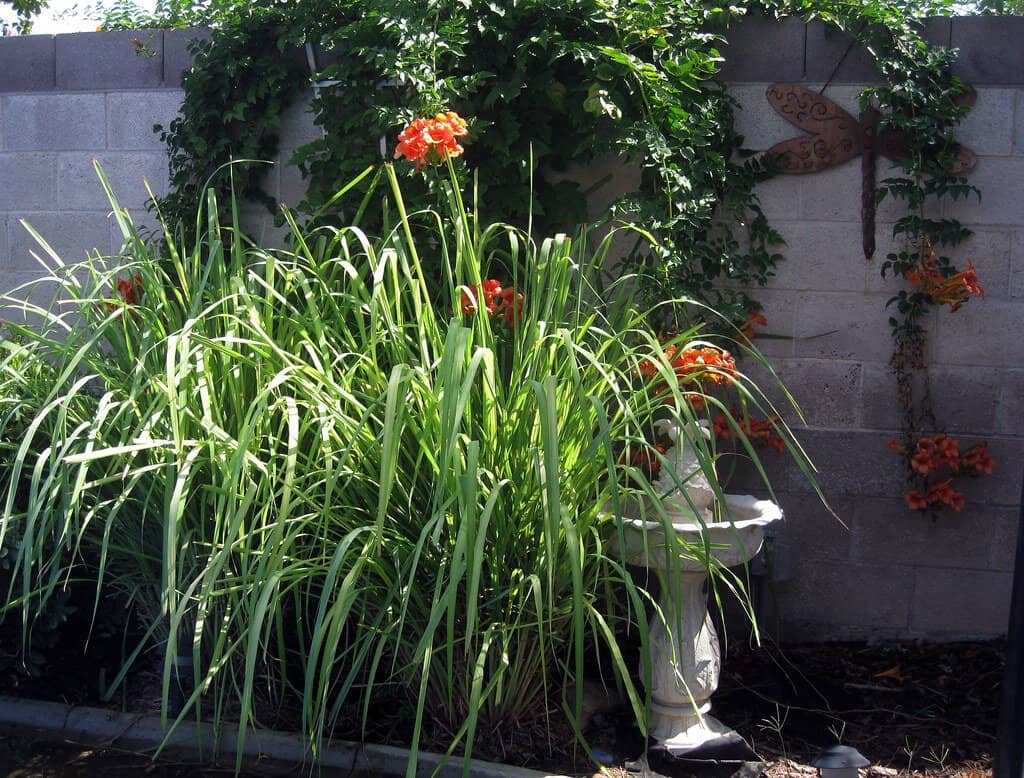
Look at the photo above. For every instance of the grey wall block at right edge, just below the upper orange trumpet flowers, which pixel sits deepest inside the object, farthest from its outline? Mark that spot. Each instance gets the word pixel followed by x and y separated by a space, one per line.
pixel 984 333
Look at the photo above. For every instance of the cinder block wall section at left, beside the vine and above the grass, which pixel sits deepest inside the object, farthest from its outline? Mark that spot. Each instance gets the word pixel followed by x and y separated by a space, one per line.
pixel 66 102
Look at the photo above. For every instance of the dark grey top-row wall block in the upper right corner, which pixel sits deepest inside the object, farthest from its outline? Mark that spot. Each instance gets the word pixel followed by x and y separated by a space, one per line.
pixel 991 51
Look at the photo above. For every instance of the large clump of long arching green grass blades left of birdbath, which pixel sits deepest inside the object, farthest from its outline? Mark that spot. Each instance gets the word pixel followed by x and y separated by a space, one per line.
pixel 338 481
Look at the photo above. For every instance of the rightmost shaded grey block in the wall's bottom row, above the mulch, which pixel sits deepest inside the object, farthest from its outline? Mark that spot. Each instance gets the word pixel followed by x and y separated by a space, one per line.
pixel 973 604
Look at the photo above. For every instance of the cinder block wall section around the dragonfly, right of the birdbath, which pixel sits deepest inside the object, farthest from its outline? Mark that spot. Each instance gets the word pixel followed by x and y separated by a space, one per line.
pixel 894 574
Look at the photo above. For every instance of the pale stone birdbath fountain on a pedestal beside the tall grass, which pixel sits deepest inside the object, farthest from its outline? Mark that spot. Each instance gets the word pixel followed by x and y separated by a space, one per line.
pixel 685 651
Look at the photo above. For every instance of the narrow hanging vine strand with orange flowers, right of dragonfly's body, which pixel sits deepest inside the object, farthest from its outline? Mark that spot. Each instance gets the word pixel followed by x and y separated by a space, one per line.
pixel 923 102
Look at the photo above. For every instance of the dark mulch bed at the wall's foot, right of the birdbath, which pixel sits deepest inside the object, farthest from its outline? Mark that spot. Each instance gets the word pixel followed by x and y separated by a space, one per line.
pixel 930 708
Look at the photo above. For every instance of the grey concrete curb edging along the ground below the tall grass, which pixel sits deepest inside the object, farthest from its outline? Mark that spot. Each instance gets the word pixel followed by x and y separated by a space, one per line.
pixel 269 752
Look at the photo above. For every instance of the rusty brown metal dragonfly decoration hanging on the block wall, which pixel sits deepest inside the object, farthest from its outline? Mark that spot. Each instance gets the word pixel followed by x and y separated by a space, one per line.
pixel 837 138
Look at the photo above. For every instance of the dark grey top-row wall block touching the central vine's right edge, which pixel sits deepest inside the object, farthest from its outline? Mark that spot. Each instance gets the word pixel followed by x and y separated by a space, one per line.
pixel 760 51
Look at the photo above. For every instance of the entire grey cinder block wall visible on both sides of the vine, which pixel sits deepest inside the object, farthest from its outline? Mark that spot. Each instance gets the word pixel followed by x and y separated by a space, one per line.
pixel 889 575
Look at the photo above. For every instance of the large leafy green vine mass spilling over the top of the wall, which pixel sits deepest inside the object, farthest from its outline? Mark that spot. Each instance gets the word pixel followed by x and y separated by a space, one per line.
pixel 548 84
